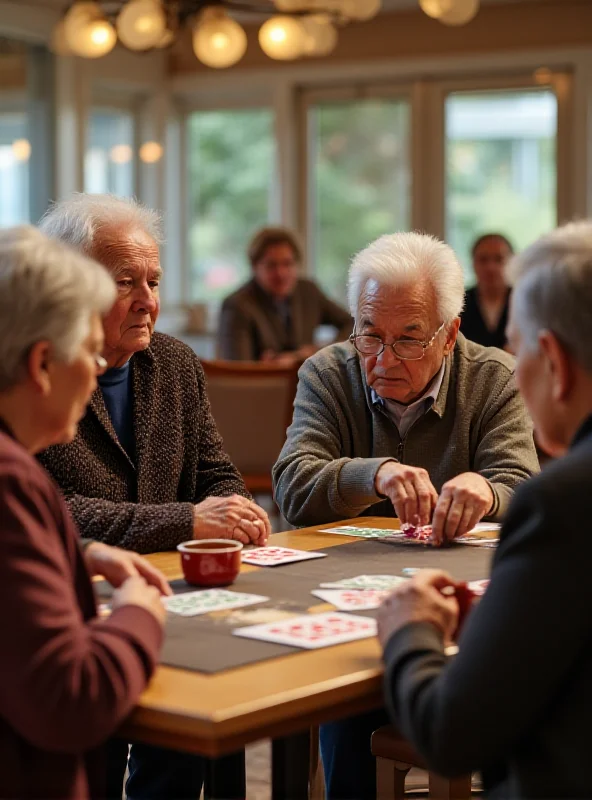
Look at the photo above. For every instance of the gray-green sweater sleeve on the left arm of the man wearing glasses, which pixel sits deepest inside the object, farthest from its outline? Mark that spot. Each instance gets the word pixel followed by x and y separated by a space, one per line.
pixel 313 481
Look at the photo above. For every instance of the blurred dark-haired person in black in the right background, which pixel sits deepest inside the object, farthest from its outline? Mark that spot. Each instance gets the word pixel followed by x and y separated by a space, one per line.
pixel 485 315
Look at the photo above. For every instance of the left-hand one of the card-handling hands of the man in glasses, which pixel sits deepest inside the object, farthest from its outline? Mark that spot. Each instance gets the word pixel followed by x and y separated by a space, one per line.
pixel 409 489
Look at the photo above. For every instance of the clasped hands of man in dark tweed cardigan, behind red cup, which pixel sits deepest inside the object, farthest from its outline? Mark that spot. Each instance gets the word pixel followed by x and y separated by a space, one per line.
pixel 232 517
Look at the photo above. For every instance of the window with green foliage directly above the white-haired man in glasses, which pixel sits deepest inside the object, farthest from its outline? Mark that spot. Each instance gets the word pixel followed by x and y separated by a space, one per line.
pixel 359 181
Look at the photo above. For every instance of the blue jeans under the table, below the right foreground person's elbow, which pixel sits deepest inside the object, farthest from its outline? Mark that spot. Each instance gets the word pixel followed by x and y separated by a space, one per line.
pixel 350 767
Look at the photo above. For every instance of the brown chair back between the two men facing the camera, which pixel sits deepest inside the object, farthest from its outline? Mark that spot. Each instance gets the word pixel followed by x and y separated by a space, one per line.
pixel 252 404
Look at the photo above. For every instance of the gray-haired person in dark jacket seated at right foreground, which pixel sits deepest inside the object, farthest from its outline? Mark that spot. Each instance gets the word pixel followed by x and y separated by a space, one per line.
pixel 516 701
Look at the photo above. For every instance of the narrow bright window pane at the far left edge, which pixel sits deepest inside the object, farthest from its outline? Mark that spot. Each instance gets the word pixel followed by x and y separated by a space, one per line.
pixel 15 151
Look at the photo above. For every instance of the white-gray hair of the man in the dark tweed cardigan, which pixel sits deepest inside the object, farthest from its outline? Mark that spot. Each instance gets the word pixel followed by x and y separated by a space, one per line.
pixel 77 219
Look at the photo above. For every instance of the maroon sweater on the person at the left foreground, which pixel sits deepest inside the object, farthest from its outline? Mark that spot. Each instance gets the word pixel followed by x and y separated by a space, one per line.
pixel 67 678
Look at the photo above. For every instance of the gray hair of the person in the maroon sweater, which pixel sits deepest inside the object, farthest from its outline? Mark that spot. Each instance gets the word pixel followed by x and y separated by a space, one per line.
pixel 47 292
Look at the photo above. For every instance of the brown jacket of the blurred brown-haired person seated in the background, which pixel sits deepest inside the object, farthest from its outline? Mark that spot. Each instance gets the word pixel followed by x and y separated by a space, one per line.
pixel 250 323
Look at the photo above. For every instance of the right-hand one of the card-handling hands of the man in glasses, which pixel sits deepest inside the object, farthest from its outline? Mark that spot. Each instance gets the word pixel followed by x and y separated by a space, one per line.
pixel 463 501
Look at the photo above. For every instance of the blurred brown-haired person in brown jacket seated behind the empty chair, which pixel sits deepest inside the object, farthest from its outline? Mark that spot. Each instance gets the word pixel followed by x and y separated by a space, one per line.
pixel 274 316
